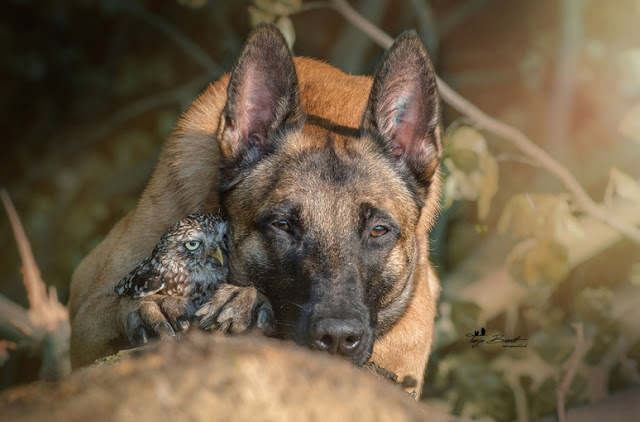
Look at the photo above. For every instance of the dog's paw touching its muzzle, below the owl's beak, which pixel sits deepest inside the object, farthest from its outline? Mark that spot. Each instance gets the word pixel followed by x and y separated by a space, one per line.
pixel 235 309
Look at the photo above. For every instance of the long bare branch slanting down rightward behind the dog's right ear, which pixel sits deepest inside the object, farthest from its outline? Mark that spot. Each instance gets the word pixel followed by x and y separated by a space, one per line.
pixel 509 133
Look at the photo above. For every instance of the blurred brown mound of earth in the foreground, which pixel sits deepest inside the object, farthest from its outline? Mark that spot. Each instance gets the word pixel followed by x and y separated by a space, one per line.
pixel 210 377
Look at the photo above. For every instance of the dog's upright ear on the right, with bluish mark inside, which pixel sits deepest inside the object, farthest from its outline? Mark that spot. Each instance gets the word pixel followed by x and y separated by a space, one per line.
pixel 403 111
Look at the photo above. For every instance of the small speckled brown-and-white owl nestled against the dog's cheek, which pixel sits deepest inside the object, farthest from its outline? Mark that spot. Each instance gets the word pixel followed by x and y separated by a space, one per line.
pixel 190 260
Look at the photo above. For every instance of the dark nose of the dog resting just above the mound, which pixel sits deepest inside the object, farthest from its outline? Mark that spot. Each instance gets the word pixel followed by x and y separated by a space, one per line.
pixel 337 336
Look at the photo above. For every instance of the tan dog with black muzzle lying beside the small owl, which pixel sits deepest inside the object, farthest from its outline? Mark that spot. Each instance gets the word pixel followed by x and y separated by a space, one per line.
pixel 331 184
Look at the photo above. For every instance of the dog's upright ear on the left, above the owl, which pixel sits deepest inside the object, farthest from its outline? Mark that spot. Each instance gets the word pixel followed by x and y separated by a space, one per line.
pixel 262 97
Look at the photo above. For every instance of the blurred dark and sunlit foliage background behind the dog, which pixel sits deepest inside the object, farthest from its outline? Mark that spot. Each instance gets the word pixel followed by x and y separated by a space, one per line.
pixel 90 89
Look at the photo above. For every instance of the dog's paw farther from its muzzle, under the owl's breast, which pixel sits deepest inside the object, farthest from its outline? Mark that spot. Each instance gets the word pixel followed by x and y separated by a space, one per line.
pixel 158 316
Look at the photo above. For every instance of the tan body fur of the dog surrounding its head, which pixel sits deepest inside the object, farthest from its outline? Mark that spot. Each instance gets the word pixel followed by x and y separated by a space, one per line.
pixel 185 181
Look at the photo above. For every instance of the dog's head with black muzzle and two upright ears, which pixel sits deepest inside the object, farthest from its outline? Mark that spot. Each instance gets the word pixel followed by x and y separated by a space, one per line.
pixel 327 218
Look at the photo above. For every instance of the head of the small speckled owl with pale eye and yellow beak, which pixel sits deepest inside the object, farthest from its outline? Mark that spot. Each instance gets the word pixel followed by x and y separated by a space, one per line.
pixel 200 240
